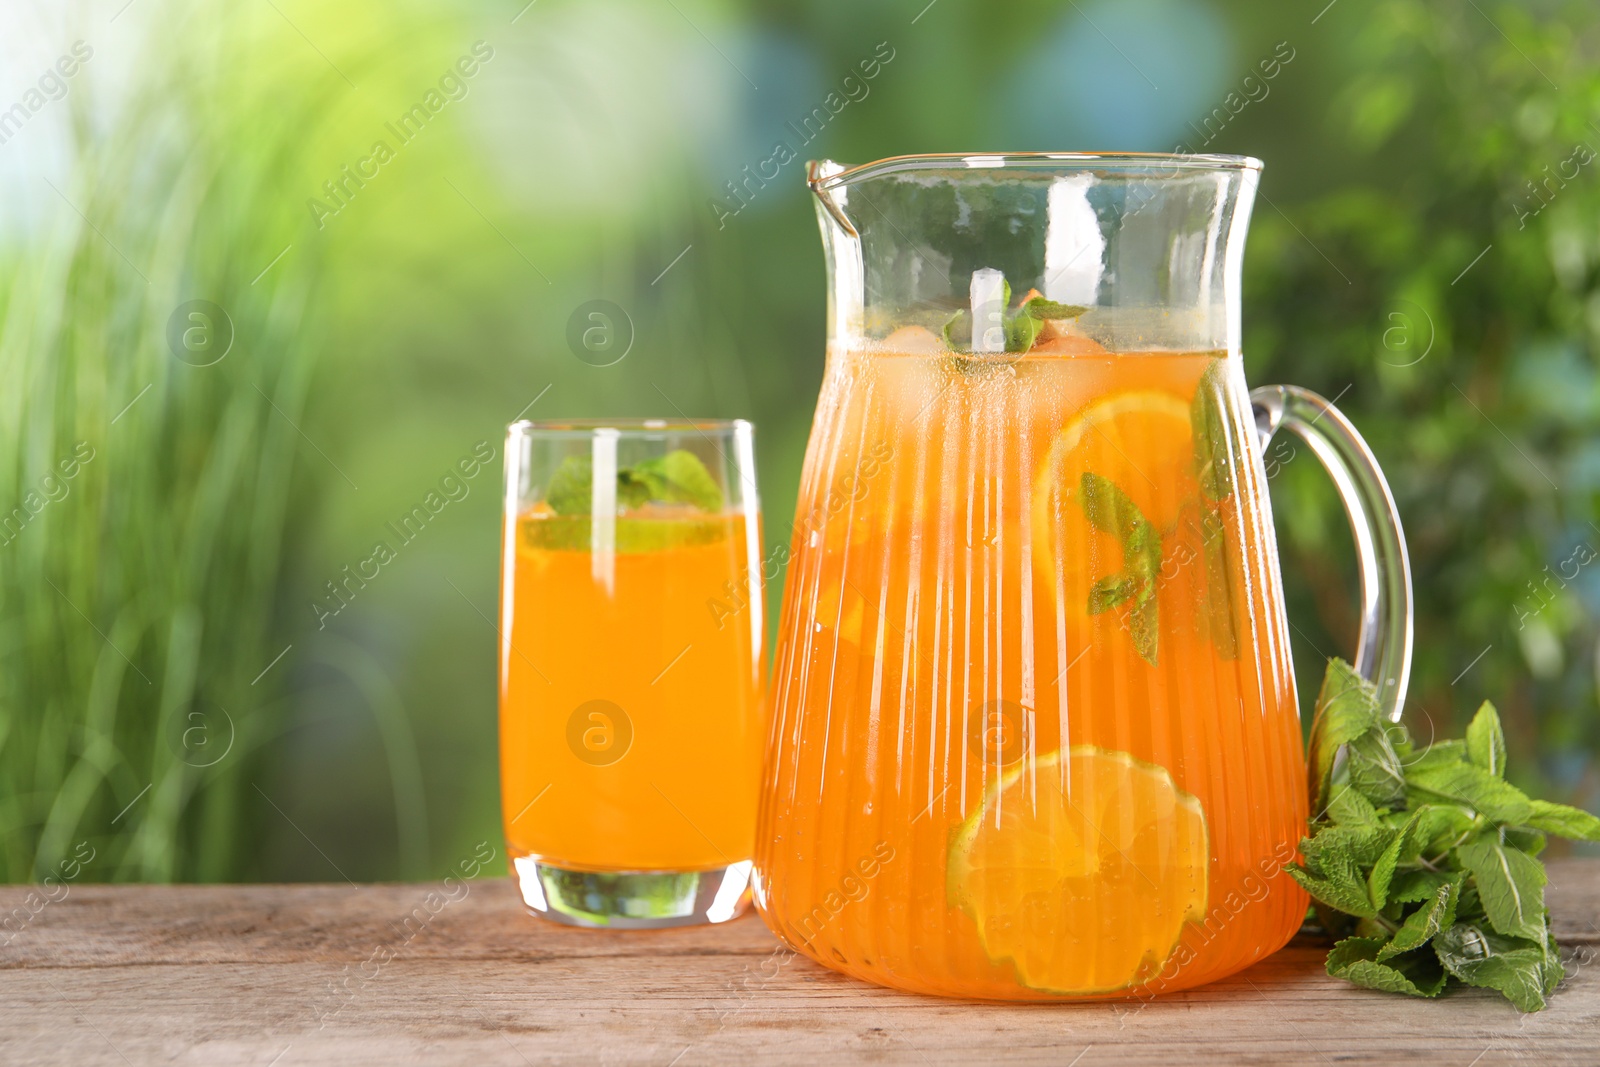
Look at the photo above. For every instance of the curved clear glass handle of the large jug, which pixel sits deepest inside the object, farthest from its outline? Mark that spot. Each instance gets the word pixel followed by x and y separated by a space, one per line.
pixel 1383 653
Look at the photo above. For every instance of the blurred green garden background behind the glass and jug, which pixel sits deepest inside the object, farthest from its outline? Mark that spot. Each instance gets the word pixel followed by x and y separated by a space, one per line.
pixel 1425 250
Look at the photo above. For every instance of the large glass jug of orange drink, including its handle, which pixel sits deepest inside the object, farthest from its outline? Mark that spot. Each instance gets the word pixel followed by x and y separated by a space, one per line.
pixel 1034 721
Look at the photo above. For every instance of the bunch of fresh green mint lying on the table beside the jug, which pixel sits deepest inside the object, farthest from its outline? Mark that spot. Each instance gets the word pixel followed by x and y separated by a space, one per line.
pixel 1425 861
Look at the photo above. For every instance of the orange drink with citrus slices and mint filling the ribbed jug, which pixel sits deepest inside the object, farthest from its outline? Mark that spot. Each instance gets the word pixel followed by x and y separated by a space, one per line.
pixel 1034 724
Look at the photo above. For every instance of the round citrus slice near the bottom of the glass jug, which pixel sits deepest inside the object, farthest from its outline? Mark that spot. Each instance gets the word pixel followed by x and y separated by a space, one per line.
pixel 1082 873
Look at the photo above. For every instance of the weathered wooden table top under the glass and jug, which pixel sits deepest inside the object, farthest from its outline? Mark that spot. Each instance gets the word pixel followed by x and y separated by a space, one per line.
pixel 329 975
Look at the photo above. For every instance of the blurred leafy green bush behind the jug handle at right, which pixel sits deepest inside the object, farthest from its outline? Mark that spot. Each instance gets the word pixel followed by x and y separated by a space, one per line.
pixel 1444 271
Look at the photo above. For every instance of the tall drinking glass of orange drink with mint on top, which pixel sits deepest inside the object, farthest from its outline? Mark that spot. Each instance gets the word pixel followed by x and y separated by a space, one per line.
pixel 631 669
